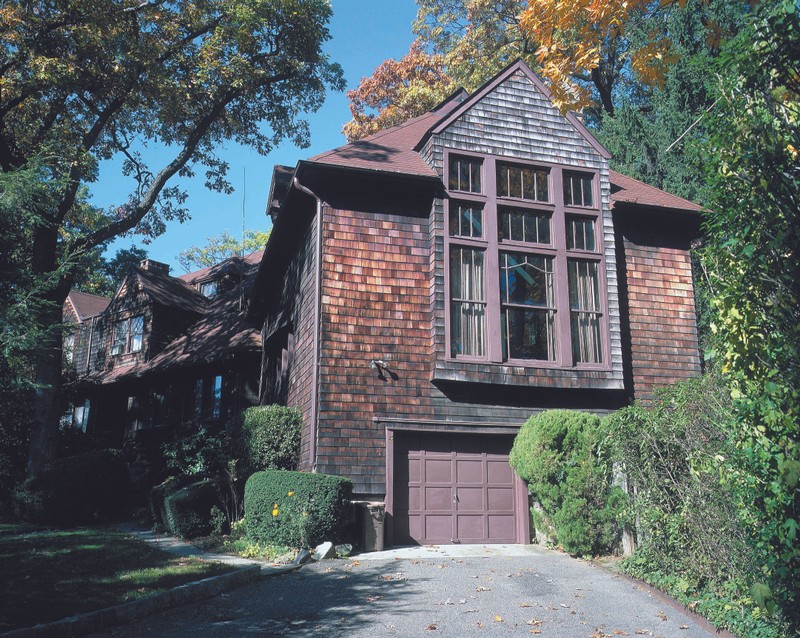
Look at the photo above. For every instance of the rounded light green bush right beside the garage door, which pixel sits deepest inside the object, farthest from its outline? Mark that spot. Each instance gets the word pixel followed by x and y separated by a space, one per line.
pixel 557 453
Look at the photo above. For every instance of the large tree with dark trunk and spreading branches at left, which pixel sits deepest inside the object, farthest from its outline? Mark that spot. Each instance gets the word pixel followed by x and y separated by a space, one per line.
pixel 84 81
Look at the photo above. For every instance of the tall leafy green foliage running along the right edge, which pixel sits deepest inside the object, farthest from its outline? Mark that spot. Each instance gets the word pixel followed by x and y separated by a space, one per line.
pixel 753 228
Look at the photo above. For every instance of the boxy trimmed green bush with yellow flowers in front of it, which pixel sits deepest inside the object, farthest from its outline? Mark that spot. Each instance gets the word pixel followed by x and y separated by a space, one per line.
pixel 295 508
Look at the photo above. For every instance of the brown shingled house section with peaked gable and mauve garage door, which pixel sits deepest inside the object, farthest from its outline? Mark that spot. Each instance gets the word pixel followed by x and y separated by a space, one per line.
pixel 428 288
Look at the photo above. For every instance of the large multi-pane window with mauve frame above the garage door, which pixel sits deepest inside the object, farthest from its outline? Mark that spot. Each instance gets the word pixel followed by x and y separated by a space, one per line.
pixel 524 273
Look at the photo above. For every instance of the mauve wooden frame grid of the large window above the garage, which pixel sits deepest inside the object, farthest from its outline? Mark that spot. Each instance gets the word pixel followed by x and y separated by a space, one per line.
pixel 491 243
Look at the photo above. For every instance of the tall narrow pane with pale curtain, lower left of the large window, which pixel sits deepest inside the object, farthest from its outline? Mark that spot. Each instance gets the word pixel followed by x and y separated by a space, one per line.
pixel 467 307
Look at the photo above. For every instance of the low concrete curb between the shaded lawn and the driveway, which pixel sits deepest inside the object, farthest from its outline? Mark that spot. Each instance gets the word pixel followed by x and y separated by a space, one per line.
pixel 83 624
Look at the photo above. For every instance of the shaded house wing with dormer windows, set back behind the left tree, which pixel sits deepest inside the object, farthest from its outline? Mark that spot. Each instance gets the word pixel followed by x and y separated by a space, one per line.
pixel 165 350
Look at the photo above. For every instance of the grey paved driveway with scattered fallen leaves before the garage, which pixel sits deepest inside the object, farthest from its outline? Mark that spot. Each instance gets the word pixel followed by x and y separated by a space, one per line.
pixel 522 591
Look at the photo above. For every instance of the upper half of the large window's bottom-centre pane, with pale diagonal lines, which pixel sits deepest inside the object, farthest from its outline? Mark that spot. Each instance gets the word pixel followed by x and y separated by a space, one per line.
pixel 526 280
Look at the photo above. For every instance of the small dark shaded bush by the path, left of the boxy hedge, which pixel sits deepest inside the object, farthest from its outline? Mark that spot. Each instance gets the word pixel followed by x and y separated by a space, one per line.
pixel 188 511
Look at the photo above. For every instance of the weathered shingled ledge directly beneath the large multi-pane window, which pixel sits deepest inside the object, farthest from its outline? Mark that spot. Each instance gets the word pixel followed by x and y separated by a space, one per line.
pixel 545 376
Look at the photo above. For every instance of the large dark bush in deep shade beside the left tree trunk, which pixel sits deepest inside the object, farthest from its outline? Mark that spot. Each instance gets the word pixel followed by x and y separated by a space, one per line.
pixel 75 490
